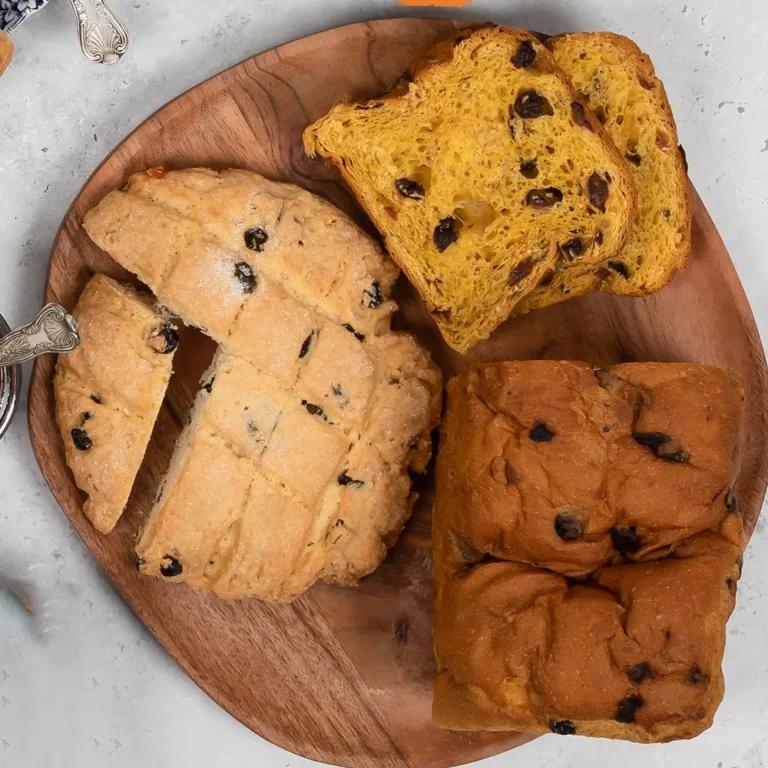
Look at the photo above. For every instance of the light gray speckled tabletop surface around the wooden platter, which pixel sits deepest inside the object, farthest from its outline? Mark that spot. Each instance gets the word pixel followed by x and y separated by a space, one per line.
pixel 82 683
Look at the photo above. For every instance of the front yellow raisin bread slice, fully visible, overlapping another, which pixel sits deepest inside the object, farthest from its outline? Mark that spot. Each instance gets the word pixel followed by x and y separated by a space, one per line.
pixel 481 174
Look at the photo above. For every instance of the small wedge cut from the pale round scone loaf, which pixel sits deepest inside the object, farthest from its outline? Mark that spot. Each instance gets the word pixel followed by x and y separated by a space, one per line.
pixel 108 393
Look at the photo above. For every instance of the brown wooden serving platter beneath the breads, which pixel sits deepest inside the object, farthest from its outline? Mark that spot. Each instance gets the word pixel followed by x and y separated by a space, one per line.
pixel 345 675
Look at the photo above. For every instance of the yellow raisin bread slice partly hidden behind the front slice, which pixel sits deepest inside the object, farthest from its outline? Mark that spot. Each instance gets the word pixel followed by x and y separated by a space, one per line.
pixel 618 82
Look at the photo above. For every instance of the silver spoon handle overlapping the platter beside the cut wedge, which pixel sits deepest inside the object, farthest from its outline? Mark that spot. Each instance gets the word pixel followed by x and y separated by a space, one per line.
pixel 53 330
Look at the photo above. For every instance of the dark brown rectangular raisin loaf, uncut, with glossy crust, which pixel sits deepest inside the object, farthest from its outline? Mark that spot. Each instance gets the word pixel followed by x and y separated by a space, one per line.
pixel 587 542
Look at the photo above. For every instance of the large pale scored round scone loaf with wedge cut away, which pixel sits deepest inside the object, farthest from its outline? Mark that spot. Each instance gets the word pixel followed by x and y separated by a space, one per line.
pixel 294 465
